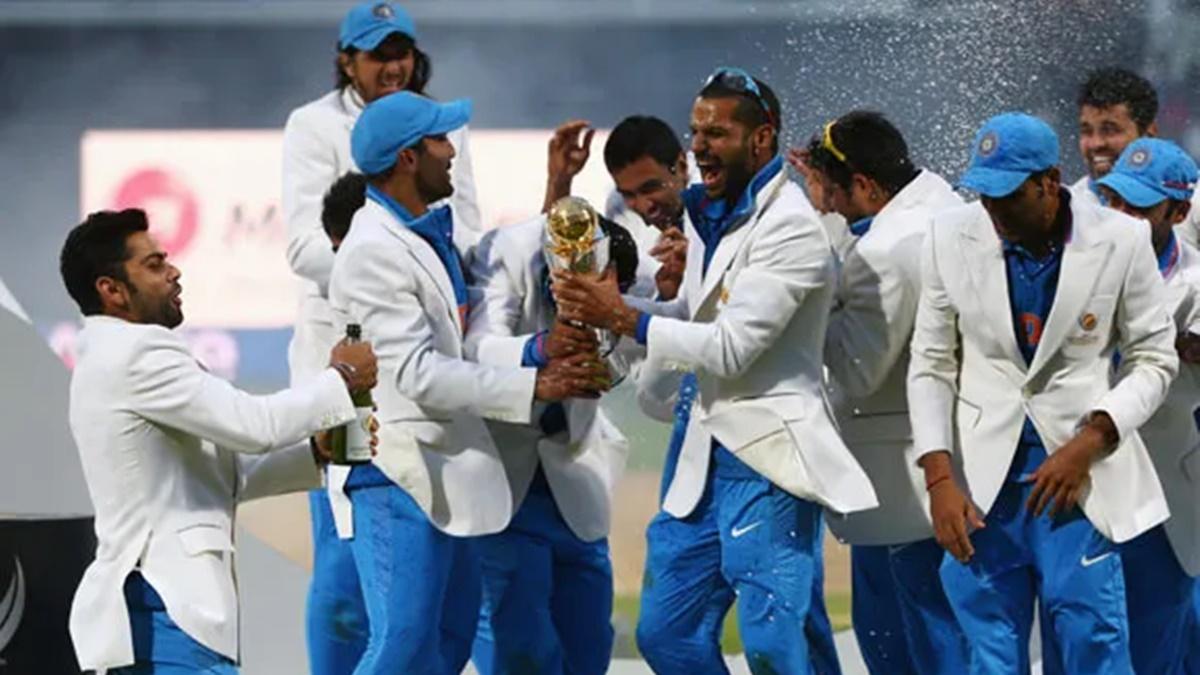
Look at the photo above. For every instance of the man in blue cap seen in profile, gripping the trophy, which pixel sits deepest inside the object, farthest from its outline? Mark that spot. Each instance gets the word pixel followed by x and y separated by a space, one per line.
pixel 437 479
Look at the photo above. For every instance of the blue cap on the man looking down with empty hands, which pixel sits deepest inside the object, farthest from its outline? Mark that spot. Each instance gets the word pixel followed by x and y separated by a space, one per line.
pixel 1007 151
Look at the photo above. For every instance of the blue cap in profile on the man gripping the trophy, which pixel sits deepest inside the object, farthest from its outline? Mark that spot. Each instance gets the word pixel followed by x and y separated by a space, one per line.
pixel 399 121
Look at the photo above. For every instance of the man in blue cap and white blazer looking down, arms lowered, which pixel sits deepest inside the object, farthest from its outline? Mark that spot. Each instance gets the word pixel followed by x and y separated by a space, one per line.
pixel 1034 467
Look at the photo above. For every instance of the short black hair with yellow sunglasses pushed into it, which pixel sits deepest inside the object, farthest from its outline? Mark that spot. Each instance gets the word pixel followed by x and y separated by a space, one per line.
pixel 872 146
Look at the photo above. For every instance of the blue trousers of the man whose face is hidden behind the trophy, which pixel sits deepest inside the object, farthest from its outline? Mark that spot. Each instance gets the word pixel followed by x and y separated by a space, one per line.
pixel 548 595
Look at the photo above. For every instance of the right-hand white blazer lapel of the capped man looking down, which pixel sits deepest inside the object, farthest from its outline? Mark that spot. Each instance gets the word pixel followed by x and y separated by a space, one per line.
pixel 1083 259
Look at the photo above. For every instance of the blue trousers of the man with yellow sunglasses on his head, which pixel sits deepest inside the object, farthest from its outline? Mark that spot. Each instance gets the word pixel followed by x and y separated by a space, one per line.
pixel 903 620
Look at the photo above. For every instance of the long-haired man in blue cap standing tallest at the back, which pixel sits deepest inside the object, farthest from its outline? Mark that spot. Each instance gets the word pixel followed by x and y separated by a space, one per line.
pixel 377 55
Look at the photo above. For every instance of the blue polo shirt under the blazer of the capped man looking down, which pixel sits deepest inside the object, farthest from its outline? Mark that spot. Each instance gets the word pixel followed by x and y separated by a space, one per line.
pixel 1033 285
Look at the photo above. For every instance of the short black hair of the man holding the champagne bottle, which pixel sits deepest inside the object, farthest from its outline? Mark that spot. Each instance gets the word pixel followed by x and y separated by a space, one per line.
pixel 98 248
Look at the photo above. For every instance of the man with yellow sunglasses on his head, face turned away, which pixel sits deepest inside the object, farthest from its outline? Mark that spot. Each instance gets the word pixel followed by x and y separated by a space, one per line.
pixel 902 619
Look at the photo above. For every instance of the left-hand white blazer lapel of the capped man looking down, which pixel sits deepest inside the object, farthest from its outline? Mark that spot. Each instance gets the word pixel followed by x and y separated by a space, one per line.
pixel 985 260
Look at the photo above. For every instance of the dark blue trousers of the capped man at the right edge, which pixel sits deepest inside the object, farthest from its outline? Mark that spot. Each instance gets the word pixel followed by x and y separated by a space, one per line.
pixel 1160 596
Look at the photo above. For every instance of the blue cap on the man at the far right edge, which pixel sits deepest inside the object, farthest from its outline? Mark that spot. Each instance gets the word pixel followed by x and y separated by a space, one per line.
pixel 1153 170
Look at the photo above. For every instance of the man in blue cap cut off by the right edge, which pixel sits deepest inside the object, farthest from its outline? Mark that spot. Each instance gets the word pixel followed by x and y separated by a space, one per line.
pixel 1155 181
